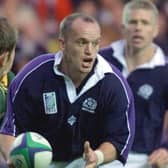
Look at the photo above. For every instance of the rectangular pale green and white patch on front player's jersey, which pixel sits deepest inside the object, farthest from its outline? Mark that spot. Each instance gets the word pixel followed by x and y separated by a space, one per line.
pixel 50 103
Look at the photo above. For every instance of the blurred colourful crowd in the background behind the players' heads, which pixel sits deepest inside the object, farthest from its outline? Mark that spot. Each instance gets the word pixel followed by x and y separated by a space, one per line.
pixel 37 23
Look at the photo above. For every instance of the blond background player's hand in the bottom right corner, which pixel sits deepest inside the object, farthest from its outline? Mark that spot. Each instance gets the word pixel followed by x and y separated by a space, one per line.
pixel 159 158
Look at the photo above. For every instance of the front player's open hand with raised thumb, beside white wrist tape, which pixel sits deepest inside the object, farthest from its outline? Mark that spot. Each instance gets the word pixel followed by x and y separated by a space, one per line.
pixel 89 156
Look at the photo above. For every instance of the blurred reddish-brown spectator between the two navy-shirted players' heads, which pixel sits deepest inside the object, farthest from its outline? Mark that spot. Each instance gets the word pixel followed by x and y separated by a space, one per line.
pixel 110 19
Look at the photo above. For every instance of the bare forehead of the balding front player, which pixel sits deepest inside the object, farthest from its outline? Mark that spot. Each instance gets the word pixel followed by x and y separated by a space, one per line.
pixel 86 29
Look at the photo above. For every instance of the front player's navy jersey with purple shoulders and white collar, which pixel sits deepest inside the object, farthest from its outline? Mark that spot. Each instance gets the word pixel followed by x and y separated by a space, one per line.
pixel 44 100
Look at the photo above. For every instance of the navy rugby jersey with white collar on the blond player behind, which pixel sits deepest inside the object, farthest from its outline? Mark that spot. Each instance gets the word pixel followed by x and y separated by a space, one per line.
pixel 149 83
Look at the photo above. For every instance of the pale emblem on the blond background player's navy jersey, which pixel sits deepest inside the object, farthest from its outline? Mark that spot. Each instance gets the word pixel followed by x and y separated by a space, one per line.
pixel 145 91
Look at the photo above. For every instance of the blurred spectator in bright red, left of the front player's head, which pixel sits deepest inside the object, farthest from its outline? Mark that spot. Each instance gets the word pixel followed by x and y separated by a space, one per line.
pixel 51 12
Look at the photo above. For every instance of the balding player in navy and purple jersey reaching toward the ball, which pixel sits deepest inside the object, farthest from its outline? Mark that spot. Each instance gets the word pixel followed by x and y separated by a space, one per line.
pixel 75 99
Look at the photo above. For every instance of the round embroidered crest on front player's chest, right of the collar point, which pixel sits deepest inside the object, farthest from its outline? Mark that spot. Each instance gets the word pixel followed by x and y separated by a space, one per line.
pixel 89 105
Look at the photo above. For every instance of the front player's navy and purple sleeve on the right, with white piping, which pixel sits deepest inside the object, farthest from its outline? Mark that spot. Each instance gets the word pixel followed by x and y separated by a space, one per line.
pixel 120 123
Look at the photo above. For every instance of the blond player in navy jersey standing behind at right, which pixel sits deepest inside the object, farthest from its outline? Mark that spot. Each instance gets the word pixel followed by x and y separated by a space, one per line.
pixel 144 65
